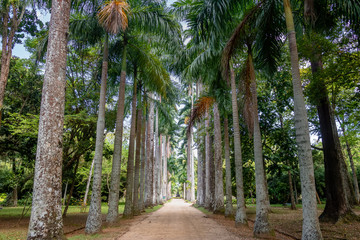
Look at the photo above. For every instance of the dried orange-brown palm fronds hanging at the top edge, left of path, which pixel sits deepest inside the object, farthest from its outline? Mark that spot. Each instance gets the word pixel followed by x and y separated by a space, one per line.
pixel 113 16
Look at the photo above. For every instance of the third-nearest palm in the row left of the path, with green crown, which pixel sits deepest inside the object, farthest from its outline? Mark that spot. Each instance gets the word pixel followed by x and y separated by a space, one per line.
pixel 151 20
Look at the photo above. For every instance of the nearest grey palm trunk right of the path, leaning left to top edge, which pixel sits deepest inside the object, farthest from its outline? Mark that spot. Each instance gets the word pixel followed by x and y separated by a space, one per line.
pixel 311 226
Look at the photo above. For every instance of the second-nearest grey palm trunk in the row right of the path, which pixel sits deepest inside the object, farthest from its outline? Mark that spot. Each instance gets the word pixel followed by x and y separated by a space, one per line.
pixel 261 226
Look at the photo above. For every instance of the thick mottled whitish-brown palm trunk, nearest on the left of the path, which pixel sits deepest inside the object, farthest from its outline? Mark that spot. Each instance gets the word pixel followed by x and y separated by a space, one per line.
pixel 46 221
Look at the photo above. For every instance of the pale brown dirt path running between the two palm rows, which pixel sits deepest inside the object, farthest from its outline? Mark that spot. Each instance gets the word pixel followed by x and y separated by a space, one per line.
pixel 177 220
